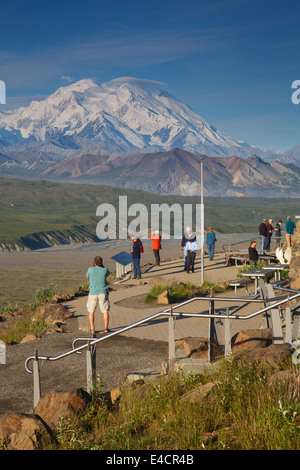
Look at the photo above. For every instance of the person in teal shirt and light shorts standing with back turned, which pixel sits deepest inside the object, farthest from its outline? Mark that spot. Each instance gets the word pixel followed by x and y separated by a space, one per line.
pixel 97 276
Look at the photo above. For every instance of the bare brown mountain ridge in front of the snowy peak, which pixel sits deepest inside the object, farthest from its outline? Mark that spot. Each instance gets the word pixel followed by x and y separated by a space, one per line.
pixel 178 172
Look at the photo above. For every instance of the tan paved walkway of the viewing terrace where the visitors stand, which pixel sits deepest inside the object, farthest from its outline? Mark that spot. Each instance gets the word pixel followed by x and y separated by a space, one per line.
pixel 157 329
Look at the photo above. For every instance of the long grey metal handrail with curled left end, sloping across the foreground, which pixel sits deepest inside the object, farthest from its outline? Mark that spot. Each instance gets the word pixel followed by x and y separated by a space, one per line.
pixel 170 311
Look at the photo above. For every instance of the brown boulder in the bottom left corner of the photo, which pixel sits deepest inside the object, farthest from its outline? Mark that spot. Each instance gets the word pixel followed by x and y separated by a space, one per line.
pixel 19 431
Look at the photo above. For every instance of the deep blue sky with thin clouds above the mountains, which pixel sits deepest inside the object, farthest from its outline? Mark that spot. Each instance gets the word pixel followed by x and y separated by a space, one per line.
pixel 233 61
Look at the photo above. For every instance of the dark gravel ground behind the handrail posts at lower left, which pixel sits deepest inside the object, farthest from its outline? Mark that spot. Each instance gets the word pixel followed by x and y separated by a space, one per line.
pixel 115 357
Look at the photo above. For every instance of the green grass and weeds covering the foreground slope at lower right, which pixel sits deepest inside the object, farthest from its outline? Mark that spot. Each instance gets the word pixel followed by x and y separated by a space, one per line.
pixel 243 411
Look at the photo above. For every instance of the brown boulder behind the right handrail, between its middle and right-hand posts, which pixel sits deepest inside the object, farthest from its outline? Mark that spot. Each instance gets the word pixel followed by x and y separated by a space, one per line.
pixel 251 339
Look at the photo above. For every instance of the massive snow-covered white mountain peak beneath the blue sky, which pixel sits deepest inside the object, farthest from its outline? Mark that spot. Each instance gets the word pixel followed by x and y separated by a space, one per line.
pixel 123 115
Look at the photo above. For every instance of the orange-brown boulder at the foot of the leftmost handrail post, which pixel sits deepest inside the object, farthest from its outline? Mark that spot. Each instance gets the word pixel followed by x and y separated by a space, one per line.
pixel 55 405
